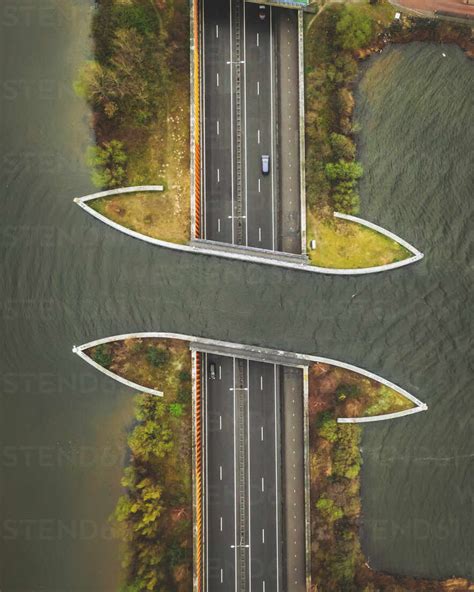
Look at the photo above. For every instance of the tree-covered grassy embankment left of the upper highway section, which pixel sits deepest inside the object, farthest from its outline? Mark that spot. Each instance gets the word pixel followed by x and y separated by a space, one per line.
pixel 138 88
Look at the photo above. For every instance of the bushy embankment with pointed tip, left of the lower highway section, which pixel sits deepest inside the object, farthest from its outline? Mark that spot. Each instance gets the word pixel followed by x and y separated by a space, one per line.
pixel 154 516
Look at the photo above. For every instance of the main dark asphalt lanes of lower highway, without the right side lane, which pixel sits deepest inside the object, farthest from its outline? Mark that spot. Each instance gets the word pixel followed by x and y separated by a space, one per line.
pixel 242 484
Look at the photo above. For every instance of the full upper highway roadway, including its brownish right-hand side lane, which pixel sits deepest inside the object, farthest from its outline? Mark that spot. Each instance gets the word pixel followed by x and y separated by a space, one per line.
pixel 243 120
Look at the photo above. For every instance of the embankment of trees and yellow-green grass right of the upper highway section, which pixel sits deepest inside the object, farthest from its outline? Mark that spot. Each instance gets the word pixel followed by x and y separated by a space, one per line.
pixel 335 42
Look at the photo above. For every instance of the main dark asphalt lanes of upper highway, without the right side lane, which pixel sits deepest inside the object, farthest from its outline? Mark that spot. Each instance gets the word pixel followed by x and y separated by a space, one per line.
pixel 240 209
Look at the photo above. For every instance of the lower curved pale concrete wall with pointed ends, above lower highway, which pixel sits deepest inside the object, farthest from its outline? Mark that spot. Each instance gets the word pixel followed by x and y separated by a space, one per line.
pixel 259 353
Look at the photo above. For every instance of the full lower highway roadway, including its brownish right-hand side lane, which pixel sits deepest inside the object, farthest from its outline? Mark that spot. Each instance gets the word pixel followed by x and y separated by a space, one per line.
pixel 249 546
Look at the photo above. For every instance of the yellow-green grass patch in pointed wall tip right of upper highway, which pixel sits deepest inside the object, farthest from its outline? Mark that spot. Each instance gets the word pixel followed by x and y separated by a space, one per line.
pixel 349 245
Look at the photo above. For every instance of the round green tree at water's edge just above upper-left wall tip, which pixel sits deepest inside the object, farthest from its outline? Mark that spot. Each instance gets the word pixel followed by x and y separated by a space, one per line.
pixel 109 163
